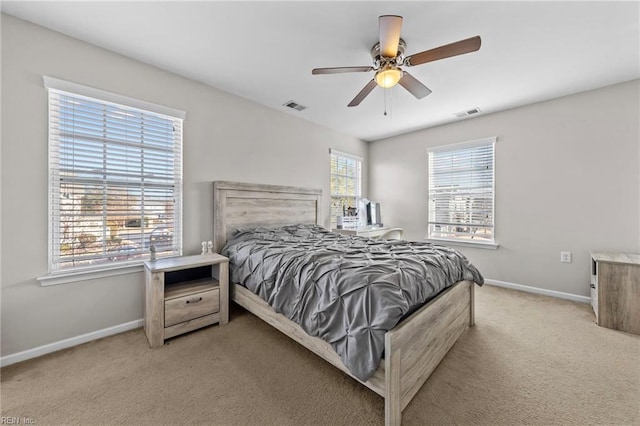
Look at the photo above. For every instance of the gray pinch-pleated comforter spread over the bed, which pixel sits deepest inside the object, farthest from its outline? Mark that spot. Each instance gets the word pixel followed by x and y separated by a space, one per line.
pixel 346 290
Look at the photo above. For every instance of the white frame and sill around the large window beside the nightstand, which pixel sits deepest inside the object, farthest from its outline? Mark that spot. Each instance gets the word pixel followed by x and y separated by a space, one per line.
pixel 58 275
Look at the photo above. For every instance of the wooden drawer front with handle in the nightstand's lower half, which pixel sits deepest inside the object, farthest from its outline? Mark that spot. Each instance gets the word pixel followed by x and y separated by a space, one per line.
pixel 192 306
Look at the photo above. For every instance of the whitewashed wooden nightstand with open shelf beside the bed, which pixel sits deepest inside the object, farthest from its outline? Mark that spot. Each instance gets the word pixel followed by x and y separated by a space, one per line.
pixel 183 294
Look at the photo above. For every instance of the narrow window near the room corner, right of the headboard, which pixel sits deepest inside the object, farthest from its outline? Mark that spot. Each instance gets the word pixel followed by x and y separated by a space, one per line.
pixel 346 182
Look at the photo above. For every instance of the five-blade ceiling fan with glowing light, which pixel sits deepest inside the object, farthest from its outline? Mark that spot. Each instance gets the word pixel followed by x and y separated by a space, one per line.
pixel 388 58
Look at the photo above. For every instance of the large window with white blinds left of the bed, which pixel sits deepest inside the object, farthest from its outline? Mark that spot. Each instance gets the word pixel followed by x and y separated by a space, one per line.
pixel 115 178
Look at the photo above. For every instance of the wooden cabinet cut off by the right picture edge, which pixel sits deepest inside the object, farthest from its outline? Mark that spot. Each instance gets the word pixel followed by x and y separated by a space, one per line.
pixel 615 290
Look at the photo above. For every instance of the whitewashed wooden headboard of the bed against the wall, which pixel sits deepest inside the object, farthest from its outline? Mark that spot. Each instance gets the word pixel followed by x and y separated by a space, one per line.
pixel 237 204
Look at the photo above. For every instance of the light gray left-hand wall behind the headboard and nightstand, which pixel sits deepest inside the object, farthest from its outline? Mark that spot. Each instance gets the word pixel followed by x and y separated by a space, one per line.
pixel 225 138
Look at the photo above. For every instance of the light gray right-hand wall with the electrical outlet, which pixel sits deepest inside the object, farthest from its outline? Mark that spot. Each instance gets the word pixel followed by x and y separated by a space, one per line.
pixel 567 179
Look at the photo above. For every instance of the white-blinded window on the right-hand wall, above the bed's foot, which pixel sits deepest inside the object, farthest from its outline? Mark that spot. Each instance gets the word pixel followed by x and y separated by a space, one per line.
pixel 461 192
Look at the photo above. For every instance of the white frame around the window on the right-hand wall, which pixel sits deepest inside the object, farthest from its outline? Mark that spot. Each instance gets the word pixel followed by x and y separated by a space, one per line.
pixel 469 242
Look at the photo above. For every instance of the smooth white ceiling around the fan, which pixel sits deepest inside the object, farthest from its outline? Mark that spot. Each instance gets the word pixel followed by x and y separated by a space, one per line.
pixel 264 51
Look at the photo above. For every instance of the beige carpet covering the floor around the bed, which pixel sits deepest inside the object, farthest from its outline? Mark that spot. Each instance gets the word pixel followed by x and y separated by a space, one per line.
pixel 529 360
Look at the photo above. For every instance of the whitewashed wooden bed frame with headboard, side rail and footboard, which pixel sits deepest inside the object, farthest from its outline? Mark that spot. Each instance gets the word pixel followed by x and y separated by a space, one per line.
pixel 413 349
